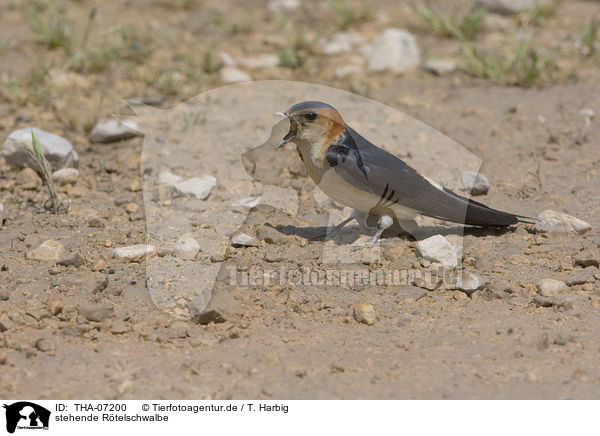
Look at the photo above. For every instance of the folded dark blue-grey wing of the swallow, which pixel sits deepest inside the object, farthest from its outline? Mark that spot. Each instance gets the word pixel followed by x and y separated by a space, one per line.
pixel 372 169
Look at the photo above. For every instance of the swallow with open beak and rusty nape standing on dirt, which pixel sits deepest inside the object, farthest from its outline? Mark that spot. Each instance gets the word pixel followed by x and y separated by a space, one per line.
pixel 373 182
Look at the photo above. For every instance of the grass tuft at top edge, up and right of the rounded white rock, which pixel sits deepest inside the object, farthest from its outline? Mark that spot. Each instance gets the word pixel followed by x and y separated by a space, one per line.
pixel 462 23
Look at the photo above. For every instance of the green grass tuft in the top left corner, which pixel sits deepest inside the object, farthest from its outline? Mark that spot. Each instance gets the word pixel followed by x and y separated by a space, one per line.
pixel 51 24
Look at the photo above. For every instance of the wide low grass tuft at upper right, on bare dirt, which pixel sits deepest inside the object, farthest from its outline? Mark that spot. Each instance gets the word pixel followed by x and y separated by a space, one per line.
pixel 524 66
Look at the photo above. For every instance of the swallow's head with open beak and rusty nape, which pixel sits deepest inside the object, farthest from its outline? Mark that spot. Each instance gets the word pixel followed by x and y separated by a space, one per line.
pixel 312 123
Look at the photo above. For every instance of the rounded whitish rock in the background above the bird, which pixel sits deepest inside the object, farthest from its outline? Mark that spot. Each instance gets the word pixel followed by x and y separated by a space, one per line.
pixel 393 50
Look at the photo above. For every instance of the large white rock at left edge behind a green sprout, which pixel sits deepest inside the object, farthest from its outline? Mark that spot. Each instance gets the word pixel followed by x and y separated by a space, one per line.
pixel 58 151
